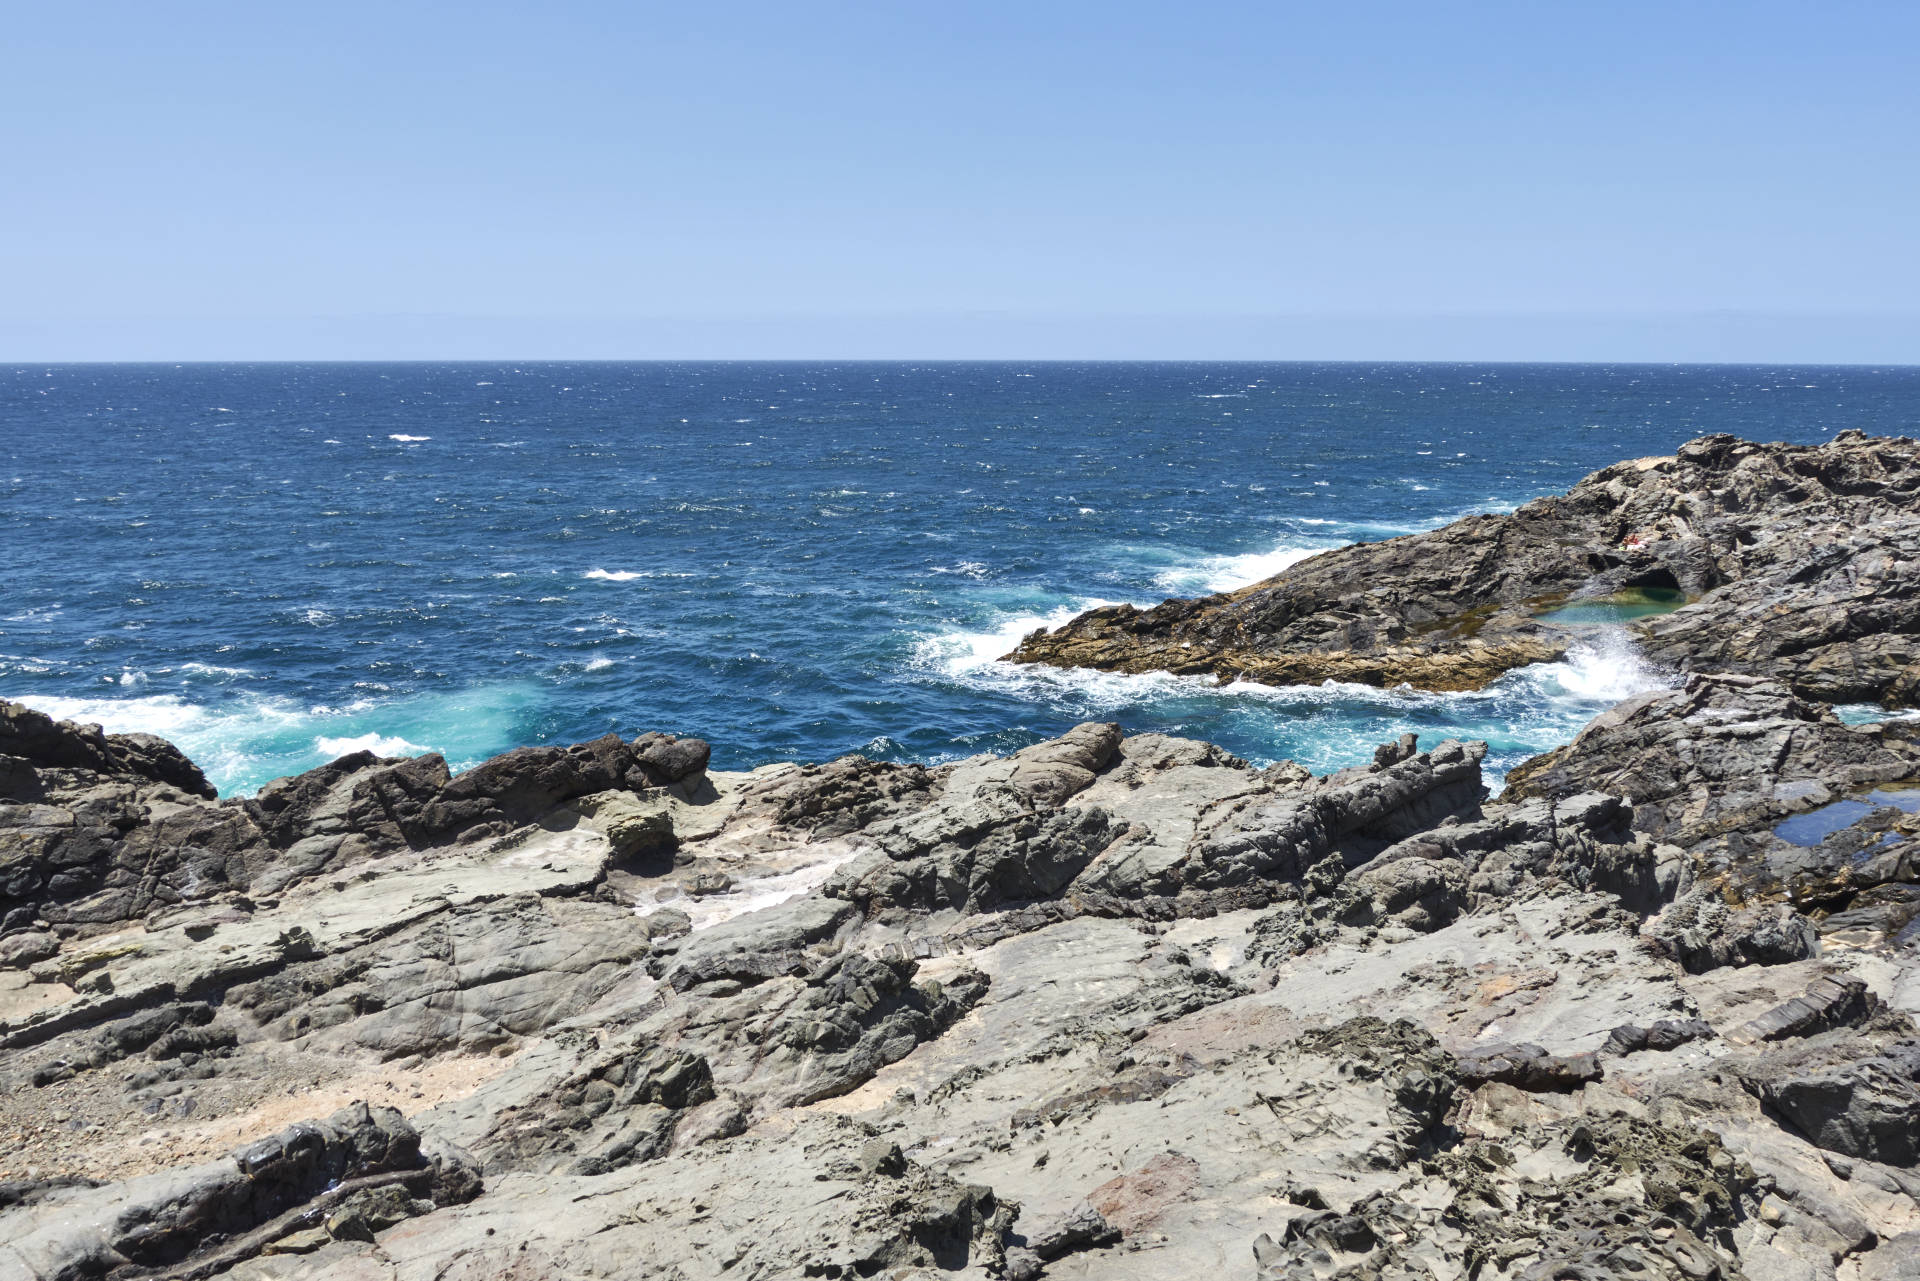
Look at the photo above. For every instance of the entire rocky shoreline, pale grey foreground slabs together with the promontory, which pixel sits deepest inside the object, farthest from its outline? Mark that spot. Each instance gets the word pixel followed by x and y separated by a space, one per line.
pixel 1109 1007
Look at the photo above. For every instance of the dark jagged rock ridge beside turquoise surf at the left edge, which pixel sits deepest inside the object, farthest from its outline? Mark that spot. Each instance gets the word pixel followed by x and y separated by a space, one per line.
pixel 105 829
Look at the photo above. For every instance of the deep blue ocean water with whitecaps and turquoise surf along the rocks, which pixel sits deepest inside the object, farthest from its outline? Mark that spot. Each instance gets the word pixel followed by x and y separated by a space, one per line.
pixel 279 564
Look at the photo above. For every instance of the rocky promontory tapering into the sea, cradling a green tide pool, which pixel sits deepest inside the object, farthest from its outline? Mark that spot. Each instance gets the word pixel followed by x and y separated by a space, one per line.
pixel 1790 562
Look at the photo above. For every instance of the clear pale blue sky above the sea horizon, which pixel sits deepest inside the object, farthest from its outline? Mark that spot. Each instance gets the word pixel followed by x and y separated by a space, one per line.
pixel 969 180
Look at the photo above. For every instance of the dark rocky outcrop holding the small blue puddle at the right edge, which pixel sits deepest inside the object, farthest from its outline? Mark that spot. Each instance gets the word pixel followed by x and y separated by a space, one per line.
pixel 1758 796
